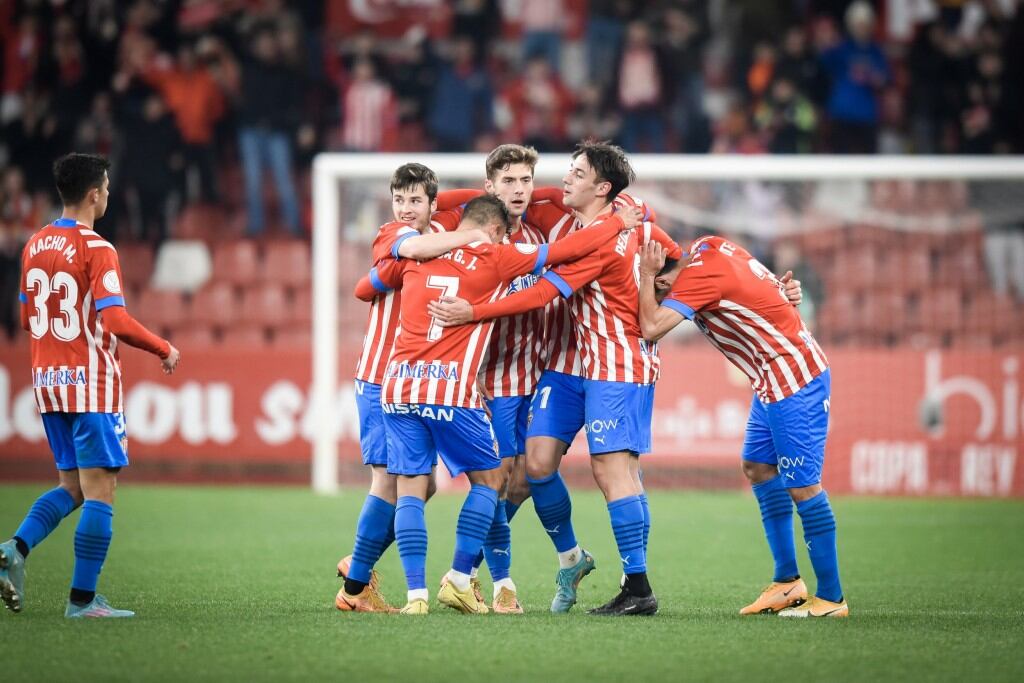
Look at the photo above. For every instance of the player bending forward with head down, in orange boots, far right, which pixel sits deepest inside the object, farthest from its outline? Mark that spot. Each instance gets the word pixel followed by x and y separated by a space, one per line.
pixel 743 310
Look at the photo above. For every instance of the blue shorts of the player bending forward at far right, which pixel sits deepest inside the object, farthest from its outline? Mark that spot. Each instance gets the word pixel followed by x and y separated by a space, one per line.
pixel 791 434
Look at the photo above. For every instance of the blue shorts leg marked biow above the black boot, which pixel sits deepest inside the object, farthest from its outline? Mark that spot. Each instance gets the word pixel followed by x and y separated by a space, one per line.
pixel 618 416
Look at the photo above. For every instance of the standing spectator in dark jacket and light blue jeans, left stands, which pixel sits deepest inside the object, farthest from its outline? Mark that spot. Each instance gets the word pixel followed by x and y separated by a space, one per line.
pixel 268 114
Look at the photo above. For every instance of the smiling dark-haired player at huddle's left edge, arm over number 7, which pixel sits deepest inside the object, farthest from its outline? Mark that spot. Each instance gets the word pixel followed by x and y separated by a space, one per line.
pixel 417 233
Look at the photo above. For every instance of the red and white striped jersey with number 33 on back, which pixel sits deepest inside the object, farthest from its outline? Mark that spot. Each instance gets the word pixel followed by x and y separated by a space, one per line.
pixel 70 274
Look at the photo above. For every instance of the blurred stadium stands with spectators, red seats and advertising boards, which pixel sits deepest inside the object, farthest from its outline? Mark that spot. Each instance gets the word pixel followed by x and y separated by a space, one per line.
pixel 214 112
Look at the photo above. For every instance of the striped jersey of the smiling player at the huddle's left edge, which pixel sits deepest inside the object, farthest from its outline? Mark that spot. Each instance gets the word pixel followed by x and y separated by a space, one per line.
pixel 382 324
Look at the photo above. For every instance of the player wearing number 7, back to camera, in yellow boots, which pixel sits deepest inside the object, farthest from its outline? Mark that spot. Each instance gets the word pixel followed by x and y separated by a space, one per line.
pixel 432 402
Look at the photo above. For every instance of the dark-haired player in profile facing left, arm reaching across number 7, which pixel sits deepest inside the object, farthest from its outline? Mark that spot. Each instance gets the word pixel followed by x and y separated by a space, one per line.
pixel 612 401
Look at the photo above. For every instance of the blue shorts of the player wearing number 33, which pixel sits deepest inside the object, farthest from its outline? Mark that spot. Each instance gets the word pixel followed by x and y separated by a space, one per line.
pixel 88 440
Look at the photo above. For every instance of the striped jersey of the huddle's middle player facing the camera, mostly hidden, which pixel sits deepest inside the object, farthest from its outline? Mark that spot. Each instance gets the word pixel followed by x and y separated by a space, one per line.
pixel 515 360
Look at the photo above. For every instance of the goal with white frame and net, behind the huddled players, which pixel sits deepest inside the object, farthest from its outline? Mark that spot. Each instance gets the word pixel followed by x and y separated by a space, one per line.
pixel 913 273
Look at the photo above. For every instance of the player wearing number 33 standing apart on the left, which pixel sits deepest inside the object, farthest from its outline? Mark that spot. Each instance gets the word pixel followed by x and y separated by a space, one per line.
pixel 74 308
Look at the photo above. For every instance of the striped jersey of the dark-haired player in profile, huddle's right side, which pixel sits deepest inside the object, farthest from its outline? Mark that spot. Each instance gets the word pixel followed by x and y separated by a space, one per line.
pixel 607 305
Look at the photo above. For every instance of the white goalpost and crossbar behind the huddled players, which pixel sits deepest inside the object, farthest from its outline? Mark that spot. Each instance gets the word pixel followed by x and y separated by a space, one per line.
pixel 333 172
